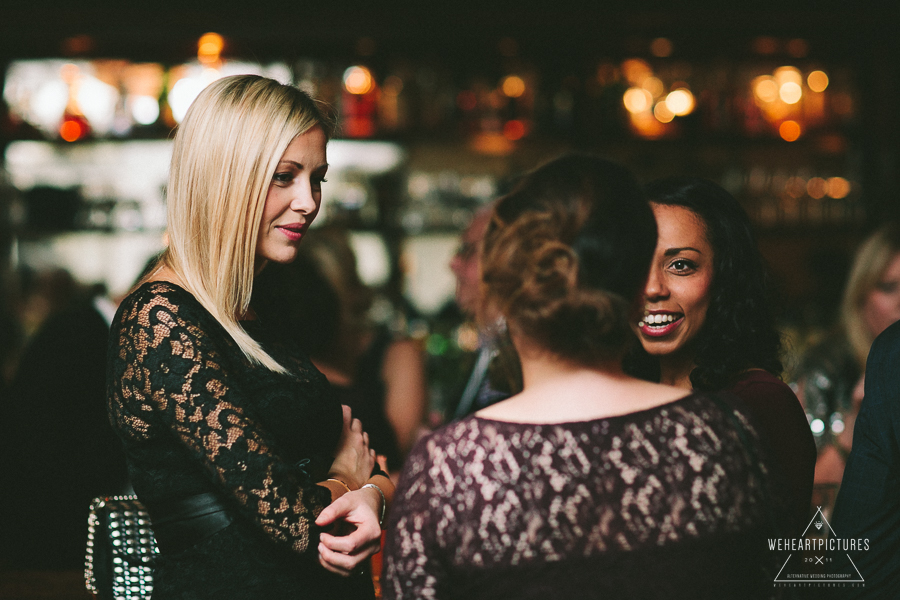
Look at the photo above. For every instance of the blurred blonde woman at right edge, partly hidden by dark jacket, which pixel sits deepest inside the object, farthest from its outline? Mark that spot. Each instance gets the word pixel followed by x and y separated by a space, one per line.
pixel 830 373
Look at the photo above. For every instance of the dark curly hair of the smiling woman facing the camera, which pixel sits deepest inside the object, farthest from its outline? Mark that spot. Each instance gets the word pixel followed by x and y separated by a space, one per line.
pixel 739 330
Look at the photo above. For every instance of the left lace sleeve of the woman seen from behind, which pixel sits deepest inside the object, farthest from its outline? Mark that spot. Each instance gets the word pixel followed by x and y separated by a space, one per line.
pixel 411 567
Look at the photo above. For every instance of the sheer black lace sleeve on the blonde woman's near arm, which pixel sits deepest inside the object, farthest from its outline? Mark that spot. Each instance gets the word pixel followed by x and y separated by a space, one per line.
pixel 168 375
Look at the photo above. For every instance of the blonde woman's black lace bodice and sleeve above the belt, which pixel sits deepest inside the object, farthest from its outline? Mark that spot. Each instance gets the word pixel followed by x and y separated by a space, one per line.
pixel 182 395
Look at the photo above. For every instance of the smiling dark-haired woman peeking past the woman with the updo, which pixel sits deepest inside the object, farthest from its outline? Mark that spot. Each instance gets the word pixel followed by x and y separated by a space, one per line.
pixel 707 325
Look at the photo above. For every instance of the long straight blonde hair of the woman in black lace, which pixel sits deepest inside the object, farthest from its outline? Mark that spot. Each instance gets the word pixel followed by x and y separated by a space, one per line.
pixel 225 154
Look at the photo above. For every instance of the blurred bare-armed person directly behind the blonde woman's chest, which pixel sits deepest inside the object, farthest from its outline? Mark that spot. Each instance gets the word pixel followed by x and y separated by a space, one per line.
pixel 380 376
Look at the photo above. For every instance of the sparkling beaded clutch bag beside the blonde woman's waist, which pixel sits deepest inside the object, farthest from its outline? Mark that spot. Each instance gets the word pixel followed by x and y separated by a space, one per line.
pixel 120 549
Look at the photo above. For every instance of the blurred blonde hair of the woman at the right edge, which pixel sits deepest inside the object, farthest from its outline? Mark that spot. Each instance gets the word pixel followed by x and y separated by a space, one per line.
pixel 871 261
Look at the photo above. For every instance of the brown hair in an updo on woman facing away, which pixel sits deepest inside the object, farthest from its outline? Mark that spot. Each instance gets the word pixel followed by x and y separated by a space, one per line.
pixel 566 256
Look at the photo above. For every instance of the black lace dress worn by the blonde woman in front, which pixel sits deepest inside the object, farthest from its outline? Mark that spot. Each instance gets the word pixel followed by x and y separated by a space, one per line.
pixel 196 417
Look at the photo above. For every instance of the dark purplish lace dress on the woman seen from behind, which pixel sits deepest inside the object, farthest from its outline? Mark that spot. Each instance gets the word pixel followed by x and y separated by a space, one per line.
pixel 662 503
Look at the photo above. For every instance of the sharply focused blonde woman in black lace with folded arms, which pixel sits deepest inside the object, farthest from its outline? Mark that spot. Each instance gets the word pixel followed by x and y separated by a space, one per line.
pixel 234 443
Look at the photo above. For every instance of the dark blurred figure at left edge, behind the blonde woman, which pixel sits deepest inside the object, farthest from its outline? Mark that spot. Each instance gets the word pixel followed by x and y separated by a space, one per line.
pixel 58 450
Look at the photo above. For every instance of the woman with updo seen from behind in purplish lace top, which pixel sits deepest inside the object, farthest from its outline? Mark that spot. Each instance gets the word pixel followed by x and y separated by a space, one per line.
pixel 585 484
